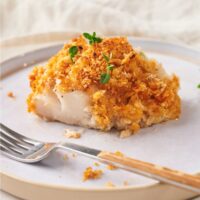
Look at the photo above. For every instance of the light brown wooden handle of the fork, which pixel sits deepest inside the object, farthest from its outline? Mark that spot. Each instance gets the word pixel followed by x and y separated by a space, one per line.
pixel 177 178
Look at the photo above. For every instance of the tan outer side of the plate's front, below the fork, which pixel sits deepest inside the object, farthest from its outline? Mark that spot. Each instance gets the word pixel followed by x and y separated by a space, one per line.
pixel 16 187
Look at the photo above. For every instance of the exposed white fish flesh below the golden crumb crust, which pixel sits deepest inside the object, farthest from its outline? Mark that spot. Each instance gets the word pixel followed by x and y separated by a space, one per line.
pixel 71 108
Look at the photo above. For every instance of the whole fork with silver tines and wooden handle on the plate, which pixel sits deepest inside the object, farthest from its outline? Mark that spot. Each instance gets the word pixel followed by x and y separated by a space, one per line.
pixel 23 149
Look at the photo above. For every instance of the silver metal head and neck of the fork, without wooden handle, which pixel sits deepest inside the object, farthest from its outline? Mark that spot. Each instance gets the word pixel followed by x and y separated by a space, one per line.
pixel 27 150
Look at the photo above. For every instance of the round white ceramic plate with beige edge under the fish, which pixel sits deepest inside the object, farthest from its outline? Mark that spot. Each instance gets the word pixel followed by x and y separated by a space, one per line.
pixel 174 144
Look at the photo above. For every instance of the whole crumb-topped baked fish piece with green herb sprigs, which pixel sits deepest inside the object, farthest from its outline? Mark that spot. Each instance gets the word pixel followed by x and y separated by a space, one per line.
pixel 103 84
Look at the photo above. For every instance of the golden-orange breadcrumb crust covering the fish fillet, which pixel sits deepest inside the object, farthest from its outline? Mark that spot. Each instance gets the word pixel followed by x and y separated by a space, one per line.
pixel 137 94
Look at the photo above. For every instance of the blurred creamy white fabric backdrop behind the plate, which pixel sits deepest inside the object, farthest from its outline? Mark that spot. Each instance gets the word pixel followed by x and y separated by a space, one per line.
pixel 172 20
